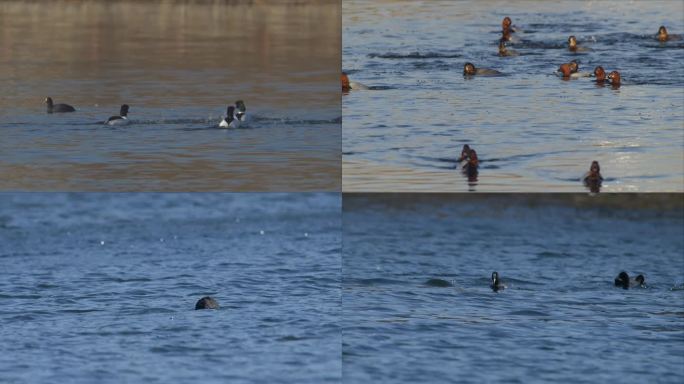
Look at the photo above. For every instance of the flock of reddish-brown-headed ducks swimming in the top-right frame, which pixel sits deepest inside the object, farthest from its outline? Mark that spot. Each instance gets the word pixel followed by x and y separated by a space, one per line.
pixel 591 179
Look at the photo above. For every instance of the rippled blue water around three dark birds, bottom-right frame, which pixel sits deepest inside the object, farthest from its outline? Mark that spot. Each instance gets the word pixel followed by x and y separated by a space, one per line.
pixel 561 319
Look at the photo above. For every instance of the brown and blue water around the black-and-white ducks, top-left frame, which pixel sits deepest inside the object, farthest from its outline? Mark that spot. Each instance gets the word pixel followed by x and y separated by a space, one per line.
pixel 178 65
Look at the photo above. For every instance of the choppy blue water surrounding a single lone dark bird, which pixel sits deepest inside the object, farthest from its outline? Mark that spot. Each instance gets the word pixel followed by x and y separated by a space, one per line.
pixel 102 287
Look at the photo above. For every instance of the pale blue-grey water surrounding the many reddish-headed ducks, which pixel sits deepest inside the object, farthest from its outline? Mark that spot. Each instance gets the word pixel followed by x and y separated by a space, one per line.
pixel 533 131
